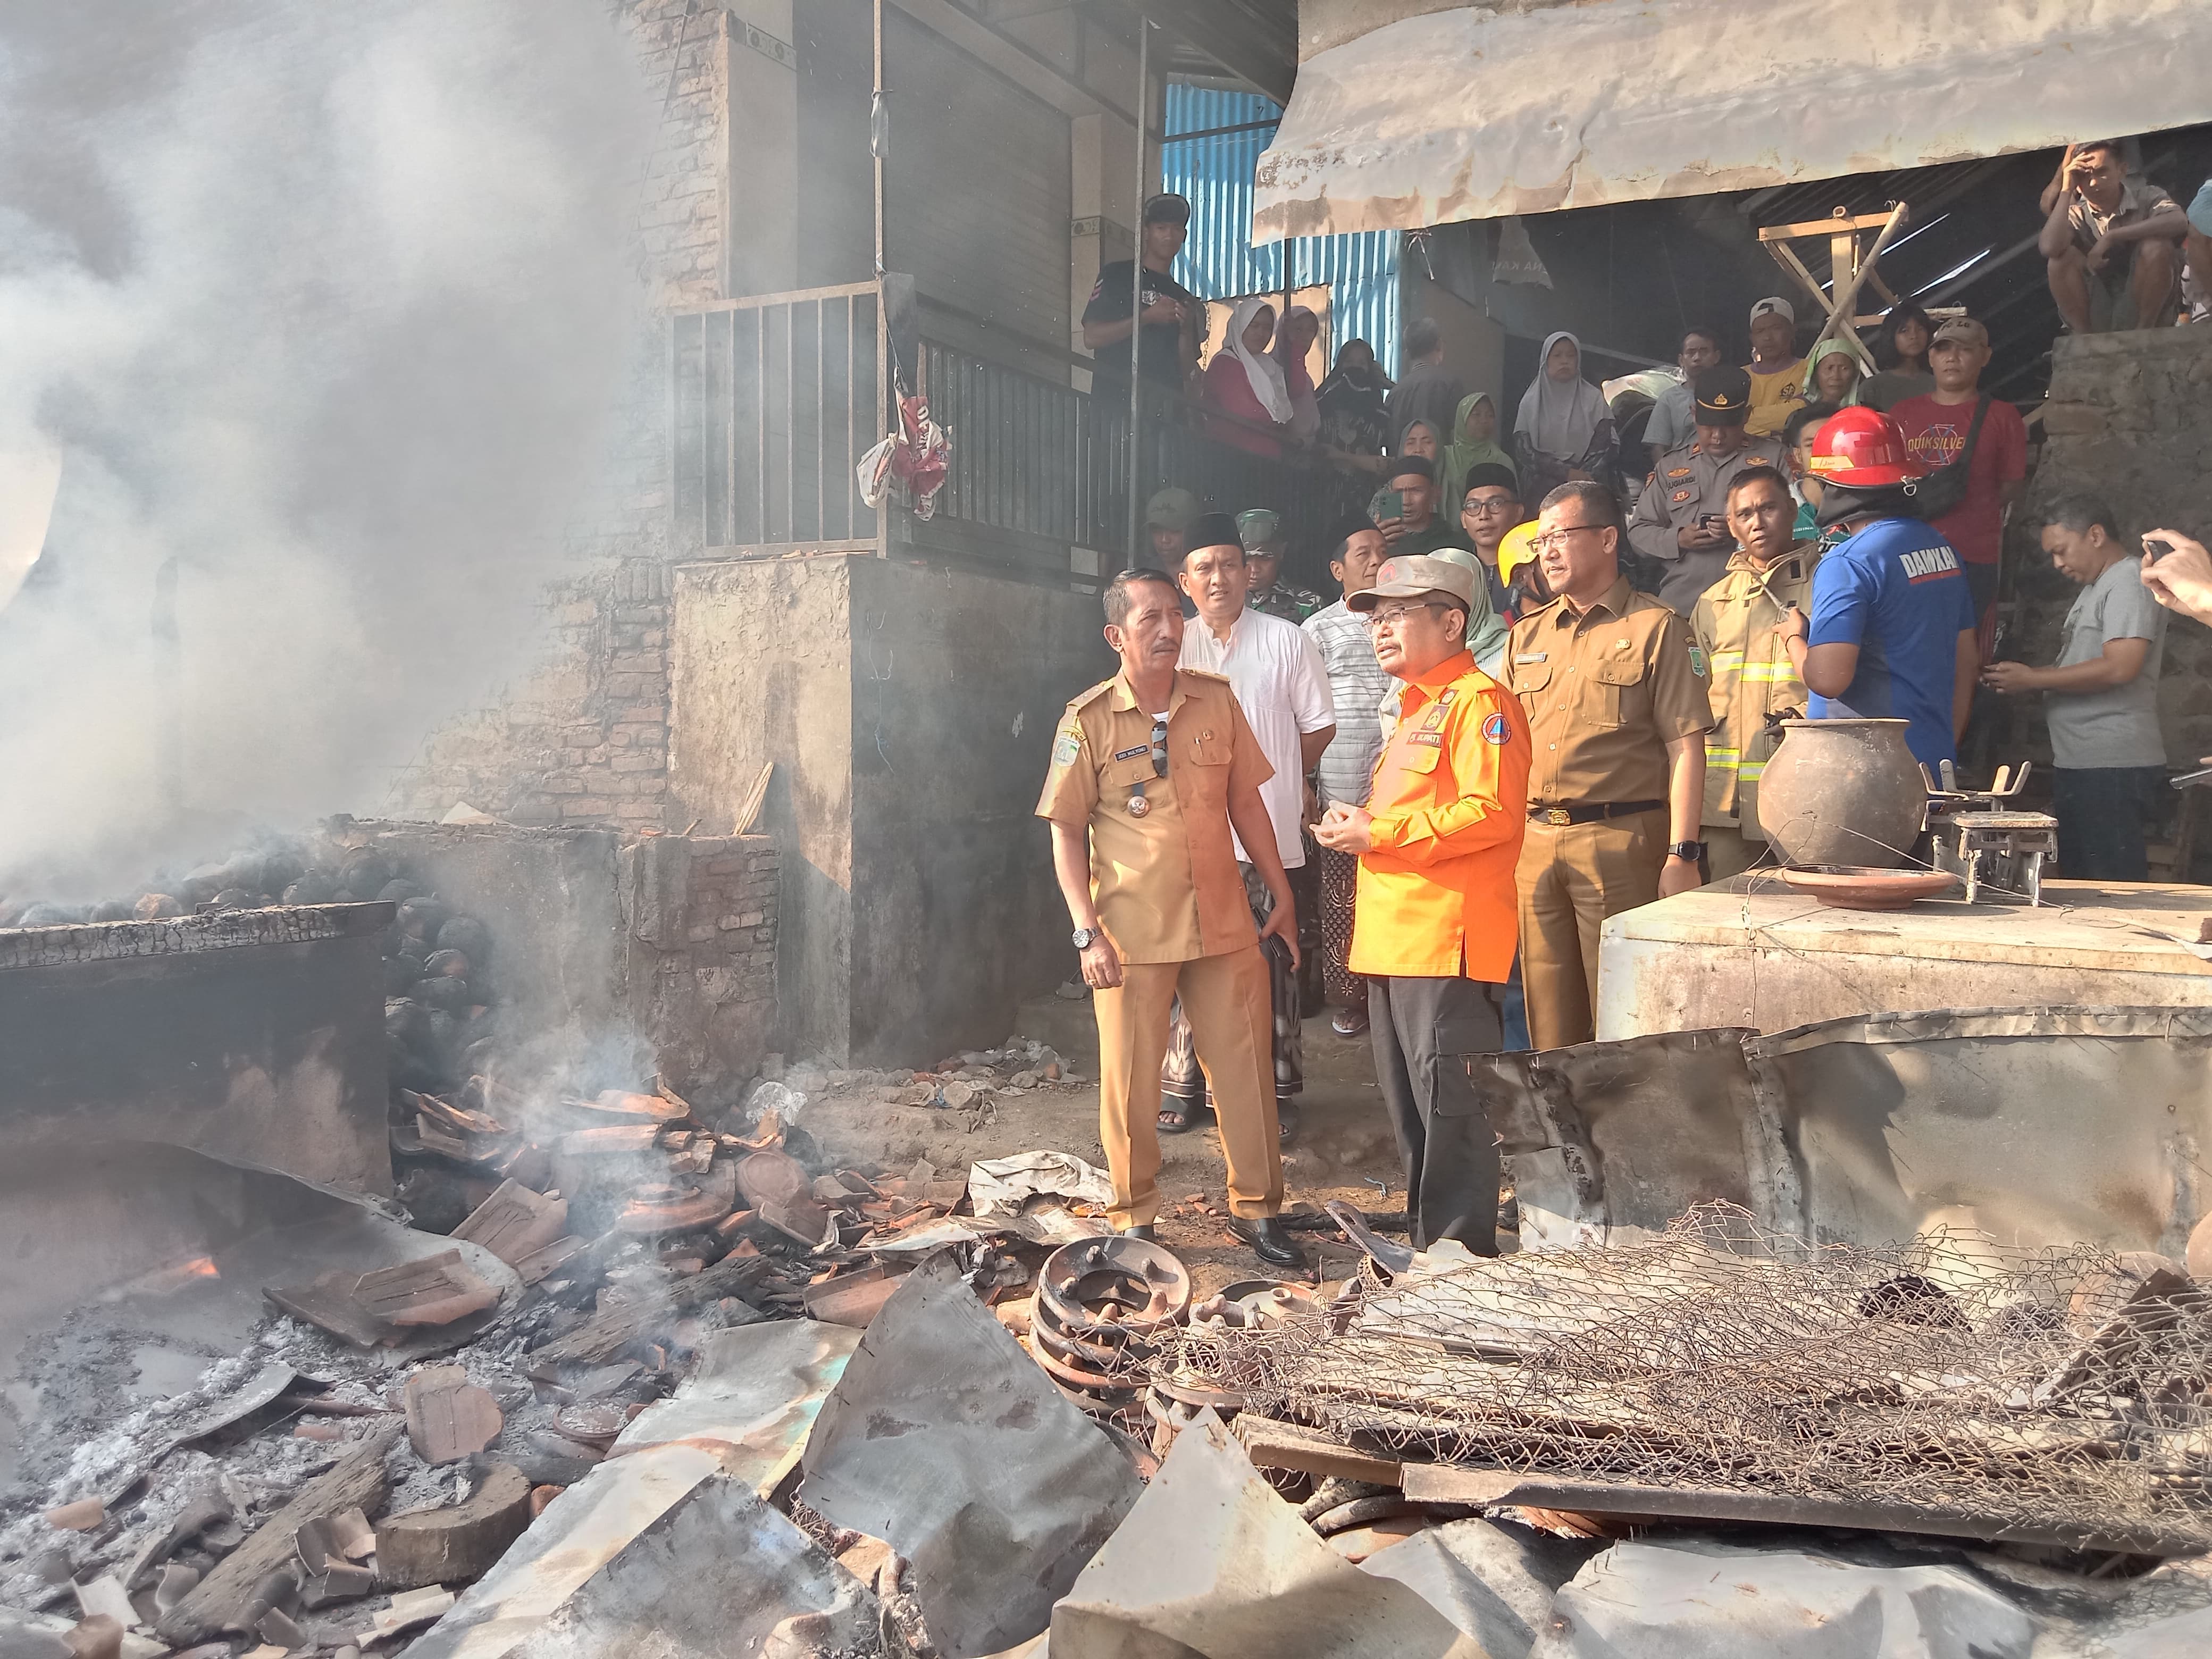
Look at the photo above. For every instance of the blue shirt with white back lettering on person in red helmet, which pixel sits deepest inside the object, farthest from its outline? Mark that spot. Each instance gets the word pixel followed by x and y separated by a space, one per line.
pixel 1899 594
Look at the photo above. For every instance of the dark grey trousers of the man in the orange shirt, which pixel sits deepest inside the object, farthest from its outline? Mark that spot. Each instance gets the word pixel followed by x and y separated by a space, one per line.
pixel 1419 1032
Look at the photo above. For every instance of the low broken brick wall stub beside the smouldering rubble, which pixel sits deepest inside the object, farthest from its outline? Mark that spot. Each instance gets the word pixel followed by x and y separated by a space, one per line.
pixel 702 926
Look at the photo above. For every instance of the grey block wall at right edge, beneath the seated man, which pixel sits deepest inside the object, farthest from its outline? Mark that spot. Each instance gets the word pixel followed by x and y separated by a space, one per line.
pixel 2131 421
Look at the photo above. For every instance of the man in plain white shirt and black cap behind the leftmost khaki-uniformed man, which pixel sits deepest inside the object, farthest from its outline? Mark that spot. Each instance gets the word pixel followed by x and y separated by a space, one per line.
pixel 1284 691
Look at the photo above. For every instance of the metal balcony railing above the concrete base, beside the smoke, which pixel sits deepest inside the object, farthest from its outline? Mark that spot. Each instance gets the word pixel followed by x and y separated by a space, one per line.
pixel 778 397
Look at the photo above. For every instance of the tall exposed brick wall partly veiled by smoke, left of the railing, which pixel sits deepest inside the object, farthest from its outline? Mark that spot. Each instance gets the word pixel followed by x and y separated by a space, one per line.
pixel 583 740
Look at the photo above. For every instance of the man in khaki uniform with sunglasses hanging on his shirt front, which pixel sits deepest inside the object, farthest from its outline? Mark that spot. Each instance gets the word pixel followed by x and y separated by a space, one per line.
pixel 1149 773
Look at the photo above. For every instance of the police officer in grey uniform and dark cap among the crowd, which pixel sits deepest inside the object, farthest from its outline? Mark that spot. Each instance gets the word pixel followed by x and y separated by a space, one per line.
pixel 1682 519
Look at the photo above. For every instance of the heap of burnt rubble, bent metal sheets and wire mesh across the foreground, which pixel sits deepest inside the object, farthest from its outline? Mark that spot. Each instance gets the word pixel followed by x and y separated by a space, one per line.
pixel 948 1415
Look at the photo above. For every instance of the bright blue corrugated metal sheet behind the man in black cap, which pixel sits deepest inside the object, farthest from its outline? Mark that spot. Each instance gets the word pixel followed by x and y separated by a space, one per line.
pixel 1220 258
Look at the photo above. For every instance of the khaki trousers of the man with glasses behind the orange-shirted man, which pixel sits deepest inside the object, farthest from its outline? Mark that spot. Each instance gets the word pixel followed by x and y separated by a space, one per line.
pixel 1572 879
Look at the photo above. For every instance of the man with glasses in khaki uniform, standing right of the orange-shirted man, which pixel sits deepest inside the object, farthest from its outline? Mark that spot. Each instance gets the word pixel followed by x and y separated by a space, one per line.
pixel 1618 718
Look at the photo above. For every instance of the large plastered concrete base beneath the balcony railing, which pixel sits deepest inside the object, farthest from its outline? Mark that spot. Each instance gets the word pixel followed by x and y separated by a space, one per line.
pixel 910 713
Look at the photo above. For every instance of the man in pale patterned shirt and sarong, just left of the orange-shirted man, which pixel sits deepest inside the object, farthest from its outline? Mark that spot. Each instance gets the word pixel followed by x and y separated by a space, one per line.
pixel 1346 771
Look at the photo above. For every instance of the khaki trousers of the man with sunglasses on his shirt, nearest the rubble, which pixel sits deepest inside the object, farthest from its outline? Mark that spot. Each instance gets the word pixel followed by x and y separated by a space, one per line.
pixel 1231 1023
